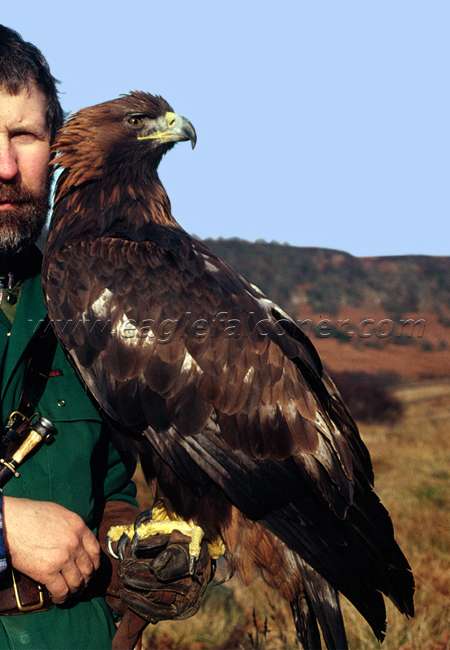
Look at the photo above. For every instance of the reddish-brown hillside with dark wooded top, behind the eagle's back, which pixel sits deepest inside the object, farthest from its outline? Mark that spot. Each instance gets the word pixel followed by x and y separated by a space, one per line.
pixel 389 314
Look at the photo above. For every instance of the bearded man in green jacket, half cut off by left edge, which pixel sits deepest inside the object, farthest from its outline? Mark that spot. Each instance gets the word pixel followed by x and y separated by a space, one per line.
pixel 52 512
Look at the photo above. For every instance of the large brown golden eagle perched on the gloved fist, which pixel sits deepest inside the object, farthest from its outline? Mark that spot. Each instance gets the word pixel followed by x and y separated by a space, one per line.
pixel 219 392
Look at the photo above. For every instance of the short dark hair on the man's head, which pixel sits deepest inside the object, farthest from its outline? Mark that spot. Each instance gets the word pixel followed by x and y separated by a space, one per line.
pixel 21 64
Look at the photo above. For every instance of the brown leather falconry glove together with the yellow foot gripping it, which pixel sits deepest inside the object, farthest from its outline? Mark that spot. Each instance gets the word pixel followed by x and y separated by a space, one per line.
pixel 158 578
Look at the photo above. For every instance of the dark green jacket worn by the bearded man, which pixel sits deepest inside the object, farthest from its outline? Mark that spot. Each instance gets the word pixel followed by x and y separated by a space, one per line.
pixel 80 470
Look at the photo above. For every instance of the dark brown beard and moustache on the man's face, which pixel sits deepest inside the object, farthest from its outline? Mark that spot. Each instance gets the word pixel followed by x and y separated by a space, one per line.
pixel 21 225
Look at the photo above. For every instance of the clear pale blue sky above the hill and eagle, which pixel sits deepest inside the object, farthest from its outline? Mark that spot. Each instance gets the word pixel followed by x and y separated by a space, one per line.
pixel 319 123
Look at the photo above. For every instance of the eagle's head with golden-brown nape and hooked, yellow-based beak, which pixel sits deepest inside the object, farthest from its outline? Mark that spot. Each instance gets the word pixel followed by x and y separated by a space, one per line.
pixel 130 133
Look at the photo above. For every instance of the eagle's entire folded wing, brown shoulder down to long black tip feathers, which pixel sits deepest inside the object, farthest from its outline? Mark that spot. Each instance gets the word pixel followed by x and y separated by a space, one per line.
pixel 228 389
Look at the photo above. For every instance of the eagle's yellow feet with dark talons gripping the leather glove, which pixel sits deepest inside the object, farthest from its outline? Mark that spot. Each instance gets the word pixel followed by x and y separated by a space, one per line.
pixel 159 522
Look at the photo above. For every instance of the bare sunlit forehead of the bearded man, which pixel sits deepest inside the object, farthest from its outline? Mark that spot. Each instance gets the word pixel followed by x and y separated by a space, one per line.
pixel 25 108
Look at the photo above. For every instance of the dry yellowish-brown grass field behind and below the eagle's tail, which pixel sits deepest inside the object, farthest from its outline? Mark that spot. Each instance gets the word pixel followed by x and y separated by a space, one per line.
pixel 412 468
